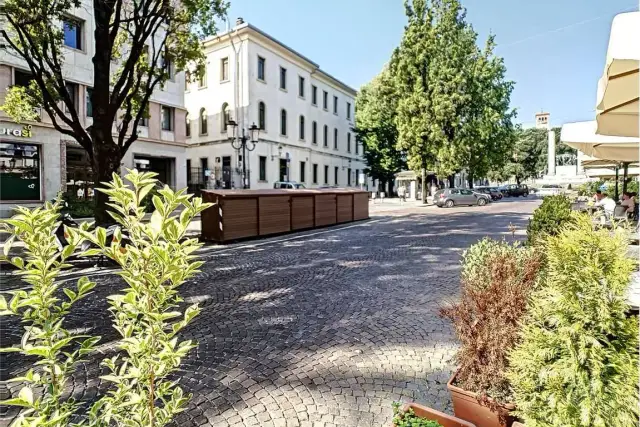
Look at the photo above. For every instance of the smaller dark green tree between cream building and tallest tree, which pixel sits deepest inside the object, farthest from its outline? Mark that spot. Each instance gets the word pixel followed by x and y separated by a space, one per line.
pixel 375 128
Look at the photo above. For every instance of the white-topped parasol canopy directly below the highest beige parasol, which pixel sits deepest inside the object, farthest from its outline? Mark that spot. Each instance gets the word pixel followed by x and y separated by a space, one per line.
pixel 582 136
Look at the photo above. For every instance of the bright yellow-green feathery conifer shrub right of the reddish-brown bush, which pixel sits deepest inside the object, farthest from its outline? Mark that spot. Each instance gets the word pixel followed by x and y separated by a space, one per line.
pixel 577 362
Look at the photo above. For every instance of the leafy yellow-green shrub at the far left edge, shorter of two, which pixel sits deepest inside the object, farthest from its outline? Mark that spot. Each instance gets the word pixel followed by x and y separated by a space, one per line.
pixel 43 310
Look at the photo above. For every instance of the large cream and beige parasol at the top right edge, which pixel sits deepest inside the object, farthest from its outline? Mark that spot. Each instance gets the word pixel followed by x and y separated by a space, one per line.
pixel 619 88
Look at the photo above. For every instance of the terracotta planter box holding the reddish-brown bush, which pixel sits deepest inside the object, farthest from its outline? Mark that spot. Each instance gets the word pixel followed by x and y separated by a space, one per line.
pixel 467 406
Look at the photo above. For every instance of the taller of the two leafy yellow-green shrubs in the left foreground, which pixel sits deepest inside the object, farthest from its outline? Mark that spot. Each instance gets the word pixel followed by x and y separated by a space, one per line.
pixel 156 262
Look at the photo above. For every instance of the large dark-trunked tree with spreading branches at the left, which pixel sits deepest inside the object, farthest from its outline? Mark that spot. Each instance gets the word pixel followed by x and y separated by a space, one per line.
pixel 138 45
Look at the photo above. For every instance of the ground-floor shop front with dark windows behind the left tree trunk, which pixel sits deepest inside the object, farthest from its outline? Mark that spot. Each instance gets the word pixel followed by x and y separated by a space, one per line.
pixel 37 163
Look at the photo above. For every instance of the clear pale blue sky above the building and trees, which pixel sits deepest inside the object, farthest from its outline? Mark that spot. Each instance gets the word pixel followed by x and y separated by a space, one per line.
pixel 554 50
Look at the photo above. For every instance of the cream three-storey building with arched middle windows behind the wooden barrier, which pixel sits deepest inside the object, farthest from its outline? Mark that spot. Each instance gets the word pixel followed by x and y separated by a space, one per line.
pixel 304 115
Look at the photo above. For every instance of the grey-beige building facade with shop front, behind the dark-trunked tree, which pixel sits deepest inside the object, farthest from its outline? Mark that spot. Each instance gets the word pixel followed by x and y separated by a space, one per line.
pixel 37 161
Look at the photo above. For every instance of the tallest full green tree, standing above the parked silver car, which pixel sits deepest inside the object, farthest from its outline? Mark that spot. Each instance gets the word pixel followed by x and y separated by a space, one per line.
pixel 454 110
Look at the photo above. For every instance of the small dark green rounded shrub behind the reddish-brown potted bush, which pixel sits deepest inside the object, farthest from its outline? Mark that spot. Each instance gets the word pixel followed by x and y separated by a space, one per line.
pixel 549 218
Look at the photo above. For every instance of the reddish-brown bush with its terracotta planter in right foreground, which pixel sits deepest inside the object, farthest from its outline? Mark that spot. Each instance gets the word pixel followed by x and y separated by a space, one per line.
pixel 496 280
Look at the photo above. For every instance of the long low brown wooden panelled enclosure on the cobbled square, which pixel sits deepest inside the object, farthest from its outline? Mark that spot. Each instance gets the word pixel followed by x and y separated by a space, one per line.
pixel 240 214
